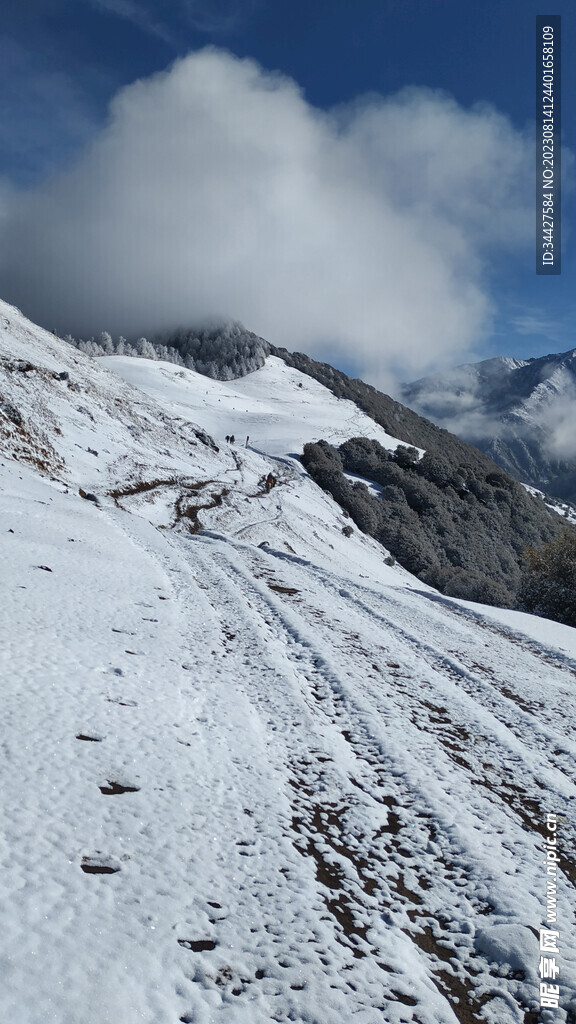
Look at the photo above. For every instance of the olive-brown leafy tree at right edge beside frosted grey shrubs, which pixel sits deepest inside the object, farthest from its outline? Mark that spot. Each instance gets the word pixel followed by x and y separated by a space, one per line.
pixel 549 579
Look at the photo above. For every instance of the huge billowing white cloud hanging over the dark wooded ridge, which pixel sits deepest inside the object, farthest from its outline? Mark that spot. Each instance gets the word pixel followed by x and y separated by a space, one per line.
pixel 216 190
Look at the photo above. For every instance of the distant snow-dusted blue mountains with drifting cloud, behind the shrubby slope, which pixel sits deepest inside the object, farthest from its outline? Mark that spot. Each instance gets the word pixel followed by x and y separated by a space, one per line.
pixel 522 413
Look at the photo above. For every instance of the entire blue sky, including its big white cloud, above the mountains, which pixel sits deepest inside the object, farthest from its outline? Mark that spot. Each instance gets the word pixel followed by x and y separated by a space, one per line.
pixel 64 62
